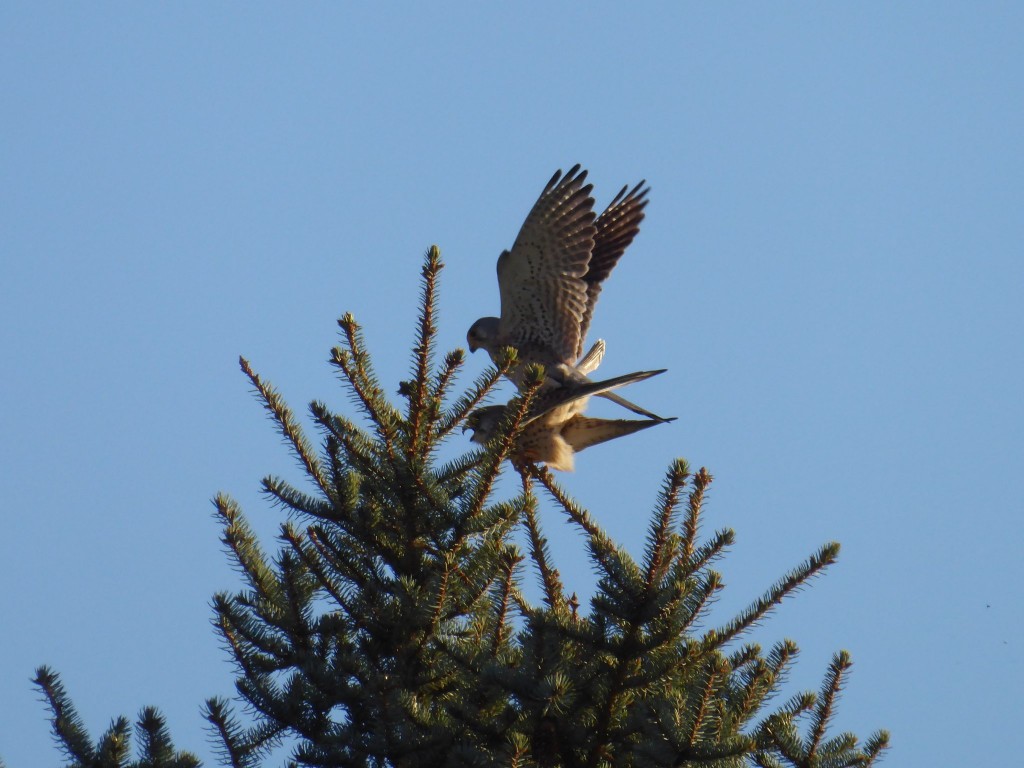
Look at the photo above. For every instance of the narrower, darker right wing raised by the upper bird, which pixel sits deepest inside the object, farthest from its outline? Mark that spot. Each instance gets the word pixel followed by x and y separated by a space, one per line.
pixel 615 230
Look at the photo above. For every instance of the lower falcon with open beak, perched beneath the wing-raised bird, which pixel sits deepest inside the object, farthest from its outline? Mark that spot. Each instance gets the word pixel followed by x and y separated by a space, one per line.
pixel 556 430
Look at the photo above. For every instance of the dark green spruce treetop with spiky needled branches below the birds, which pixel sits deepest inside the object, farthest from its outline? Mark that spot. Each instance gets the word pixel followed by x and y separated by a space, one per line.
pixel 391 627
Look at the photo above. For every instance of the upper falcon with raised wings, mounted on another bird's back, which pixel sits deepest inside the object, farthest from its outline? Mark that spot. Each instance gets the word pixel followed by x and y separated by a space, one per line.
pixel 550 280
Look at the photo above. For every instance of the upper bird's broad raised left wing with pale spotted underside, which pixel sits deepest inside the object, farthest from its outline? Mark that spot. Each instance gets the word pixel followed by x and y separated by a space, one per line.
pixel 544 295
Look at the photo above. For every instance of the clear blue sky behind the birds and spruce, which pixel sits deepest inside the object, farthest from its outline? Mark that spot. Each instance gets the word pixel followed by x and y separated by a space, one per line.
pixel 831 269
